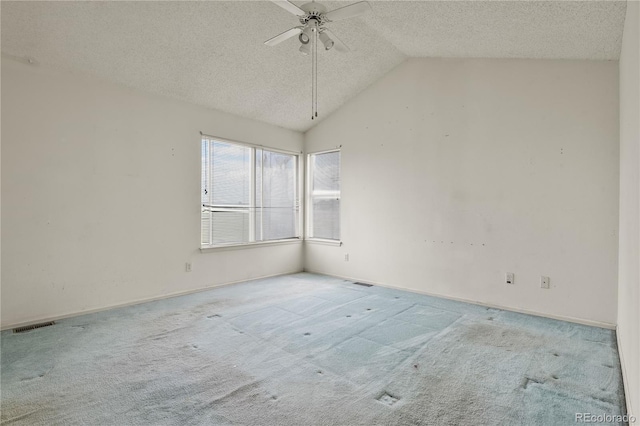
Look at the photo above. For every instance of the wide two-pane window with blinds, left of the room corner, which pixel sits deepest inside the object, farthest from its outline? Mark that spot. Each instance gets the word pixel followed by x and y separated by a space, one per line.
pixel 249 194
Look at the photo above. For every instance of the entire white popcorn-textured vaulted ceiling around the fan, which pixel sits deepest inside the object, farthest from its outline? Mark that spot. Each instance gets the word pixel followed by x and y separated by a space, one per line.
pixel 212 53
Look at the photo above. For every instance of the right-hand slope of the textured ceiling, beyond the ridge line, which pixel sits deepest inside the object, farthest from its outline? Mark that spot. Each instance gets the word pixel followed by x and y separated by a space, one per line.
pixel 503 29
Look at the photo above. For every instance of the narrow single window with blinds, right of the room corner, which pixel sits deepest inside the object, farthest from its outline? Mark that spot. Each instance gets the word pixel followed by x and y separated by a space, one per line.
pixel 324 196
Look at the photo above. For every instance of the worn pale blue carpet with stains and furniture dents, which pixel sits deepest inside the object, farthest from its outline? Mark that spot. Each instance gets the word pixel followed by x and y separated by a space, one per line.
pixel 307 349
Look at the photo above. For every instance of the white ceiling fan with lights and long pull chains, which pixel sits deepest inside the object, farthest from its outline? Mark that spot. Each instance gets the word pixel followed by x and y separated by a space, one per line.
pixel 313 19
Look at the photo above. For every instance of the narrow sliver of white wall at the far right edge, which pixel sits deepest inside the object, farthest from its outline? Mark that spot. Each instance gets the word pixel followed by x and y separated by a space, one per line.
pixel 629 263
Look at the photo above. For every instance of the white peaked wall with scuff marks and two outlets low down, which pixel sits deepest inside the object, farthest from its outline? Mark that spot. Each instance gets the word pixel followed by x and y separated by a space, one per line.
pixel 457 171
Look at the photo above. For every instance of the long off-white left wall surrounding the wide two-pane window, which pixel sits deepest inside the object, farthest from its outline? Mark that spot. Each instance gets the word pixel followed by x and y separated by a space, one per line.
pixel 100 194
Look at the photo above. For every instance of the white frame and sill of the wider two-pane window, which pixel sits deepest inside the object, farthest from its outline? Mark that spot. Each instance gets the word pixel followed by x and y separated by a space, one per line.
pixel 298 184
